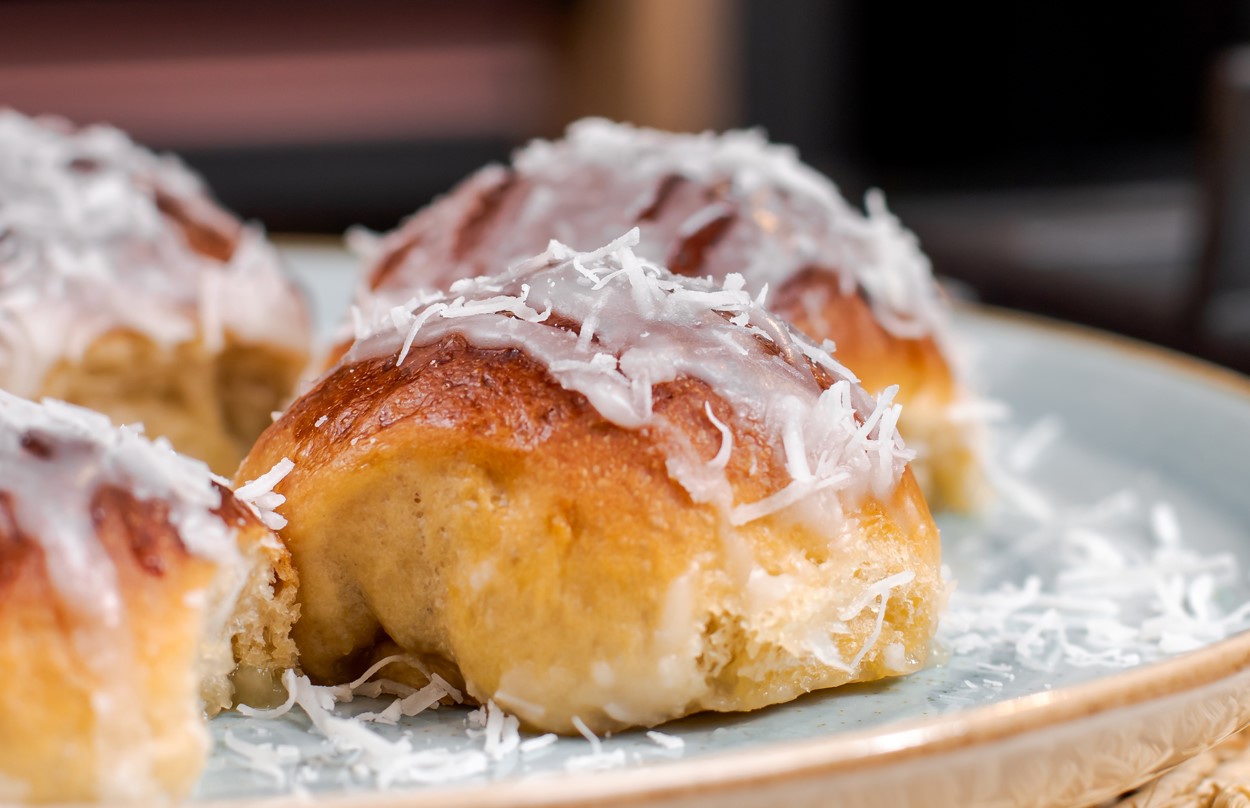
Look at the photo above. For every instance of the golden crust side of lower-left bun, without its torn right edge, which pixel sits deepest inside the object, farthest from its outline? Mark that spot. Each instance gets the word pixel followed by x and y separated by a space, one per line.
pixel 58 662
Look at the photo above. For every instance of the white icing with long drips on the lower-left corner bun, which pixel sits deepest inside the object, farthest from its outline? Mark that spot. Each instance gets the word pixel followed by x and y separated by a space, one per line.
pixel 54 460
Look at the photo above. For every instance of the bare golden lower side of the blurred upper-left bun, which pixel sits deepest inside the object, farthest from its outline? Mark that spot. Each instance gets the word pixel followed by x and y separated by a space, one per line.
pixel 209 405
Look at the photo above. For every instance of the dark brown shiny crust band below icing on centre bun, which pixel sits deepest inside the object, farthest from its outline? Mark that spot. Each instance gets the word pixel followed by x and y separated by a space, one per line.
pixel 509 402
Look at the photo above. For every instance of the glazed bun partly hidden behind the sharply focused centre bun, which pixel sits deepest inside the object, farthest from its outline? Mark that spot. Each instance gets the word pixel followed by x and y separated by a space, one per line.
pixel 716 206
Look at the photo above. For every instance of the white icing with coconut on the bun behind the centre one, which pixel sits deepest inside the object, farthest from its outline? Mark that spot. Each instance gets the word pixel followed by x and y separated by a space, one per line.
pixel 604 178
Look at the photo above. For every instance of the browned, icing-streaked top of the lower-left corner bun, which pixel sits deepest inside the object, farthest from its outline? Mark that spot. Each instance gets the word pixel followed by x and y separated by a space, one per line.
pixel 89 506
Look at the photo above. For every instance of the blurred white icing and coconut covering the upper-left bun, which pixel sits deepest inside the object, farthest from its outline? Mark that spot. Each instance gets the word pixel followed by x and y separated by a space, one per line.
pixel 84 250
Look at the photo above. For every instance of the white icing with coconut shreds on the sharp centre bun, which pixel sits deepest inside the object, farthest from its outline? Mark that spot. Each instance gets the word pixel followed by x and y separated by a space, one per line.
pixel 651 327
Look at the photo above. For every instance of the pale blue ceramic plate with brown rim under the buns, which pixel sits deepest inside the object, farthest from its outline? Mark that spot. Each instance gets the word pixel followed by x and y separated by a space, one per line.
pixel 1096 636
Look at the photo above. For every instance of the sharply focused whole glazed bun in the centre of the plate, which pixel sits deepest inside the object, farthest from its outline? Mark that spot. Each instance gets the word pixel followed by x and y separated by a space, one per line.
pixel 591 490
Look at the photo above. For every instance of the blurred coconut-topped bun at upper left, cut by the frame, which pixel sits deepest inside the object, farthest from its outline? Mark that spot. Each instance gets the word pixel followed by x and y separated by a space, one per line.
pixel 127 290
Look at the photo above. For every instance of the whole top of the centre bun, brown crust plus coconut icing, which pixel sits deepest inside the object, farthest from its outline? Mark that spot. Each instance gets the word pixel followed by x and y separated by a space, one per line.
pixel 614 333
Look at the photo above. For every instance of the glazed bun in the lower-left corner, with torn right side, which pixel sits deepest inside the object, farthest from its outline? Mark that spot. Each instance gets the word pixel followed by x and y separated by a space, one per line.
pixel 131 581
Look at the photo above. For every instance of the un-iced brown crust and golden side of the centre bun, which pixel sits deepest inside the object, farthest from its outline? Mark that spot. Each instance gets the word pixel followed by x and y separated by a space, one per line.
pixel 467 510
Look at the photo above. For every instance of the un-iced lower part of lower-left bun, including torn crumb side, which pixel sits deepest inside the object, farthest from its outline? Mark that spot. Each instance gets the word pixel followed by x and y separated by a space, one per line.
pixel 109 704
